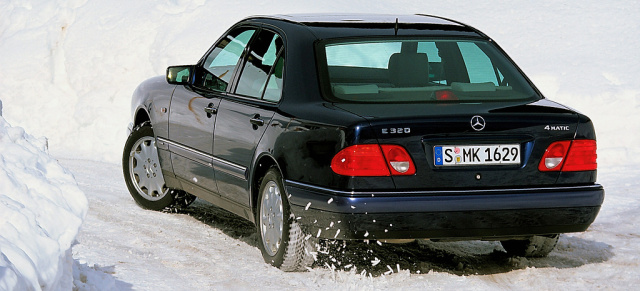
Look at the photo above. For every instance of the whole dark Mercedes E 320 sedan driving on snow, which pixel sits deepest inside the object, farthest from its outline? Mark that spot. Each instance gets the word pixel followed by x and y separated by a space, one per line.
pixel 364 127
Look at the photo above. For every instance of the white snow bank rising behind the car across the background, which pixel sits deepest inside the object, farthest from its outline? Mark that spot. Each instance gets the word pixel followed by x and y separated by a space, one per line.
pixel 69 67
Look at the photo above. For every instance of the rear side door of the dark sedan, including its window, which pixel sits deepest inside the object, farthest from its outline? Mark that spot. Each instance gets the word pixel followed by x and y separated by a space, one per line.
pixel 244 115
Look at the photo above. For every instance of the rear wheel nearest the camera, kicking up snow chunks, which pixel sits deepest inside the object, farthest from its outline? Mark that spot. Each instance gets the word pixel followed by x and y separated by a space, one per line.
pixel 282 242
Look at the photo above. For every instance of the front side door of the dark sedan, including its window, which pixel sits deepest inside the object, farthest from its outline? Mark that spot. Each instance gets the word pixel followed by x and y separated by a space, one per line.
pixel 194 111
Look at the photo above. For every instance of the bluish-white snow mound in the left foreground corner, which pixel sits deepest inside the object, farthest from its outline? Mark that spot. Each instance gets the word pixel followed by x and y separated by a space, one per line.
pixel 41 210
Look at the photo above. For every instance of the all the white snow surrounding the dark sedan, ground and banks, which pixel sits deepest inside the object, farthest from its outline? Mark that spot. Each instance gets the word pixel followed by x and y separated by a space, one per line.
pixel 67 71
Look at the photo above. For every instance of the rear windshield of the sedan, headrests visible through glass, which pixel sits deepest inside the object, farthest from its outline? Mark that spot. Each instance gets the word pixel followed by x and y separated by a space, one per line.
pixel 389 71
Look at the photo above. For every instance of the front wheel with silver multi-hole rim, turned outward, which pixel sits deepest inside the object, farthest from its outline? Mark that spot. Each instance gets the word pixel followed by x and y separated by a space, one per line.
pixel 143 174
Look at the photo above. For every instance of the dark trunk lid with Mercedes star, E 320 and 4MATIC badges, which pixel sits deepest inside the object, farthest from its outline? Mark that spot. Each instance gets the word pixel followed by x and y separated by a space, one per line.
pixel 423 129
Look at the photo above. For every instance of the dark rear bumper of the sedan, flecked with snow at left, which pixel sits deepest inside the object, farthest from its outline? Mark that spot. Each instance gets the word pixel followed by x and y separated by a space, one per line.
pixel 477 214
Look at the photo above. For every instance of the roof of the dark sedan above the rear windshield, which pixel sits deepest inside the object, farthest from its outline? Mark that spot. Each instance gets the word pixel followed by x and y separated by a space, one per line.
pixel 346 25
